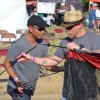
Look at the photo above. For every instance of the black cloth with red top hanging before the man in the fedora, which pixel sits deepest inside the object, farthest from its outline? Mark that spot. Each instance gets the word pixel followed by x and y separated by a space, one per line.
pixel 79 77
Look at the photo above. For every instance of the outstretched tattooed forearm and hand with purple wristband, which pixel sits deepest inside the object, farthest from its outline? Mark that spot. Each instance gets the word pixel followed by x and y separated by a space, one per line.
pixel 49 61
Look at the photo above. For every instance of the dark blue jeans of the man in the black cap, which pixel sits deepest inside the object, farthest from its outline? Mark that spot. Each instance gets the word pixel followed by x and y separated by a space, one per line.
pixel 17 95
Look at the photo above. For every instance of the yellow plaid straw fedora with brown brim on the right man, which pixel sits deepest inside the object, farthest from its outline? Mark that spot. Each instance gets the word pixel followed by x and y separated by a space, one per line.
pixel 72 18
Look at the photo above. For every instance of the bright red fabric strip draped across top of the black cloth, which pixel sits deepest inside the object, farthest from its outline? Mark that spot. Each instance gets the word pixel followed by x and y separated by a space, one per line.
pixel 92 58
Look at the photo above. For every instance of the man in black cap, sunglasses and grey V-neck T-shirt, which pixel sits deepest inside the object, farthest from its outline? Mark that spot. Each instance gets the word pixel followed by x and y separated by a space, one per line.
pixel 23 75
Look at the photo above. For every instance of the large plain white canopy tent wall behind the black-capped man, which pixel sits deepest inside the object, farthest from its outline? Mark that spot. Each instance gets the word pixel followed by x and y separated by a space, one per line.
pixel 13 15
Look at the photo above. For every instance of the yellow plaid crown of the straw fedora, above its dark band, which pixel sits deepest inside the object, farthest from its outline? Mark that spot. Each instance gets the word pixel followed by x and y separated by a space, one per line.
pixel 73 16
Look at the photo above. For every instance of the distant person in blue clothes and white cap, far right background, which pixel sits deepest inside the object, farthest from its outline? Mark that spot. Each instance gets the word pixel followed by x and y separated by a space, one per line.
pixel 92 17
